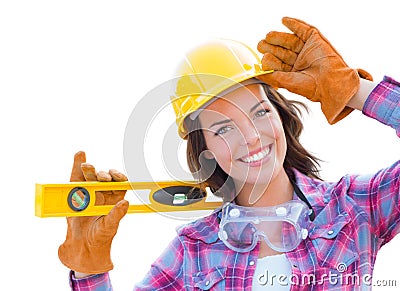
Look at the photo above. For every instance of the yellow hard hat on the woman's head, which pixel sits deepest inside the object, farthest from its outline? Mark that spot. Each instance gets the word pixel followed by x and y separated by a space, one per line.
pixel 207 71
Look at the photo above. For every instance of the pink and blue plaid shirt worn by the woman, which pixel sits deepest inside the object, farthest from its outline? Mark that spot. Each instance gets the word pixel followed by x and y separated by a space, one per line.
pixel 354 218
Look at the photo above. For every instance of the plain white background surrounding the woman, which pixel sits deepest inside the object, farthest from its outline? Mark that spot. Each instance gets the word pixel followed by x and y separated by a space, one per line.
pixel 72 71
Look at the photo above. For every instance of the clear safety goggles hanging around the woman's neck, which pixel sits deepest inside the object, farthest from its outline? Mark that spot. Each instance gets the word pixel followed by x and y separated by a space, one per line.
pixel 282 227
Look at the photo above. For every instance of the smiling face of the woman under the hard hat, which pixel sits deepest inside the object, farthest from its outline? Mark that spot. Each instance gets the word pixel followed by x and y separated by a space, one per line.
pixel 245 135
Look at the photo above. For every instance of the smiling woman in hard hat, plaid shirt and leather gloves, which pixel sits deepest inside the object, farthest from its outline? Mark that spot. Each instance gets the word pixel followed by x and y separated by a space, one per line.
pixel 247 134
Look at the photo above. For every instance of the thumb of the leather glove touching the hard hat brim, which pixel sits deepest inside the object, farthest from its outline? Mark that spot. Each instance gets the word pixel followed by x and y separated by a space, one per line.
pixel 294 82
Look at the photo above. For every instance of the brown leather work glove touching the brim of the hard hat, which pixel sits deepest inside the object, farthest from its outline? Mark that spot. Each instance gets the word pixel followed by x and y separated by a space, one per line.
pixel 306 63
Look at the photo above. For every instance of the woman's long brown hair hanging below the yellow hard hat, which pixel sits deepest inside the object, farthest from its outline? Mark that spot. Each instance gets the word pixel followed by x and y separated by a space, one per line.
pixel 296 156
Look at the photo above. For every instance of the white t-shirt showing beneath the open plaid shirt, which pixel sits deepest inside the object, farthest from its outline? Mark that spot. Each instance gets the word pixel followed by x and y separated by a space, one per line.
pixel 272 273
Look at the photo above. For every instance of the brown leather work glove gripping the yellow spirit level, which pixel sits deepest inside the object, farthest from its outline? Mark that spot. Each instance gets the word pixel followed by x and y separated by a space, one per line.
pixel 88 243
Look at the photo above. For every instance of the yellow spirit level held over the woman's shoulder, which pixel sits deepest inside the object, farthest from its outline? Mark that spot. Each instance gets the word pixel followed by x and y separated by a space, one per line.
pixel 79 198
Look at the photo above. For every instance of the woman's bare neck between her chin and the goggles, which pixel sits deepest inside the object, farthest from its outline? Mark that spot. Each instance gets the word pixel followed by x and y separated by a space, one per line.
pixel 278 190
